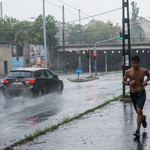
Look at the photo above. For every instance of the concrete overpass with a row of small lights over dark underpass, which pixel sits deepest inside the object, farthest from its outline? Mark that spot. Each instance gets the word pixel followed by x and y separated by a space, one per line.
pixel 75 56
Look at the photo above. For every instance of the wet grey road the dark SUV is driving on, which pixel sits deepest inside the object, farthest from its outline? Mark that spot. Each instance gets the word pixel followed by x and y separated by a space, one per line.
pixel 23 116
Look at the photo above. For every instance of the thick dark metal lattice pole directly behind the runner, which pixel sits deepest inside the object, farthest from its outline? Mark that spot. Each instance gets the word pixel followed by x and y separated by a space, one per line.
pixel 126 37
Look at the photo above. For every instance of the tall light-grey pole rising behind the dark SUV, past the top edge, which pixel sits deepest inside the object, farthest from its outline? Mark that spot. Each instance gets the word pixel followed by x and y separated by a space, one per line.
pixel 44 29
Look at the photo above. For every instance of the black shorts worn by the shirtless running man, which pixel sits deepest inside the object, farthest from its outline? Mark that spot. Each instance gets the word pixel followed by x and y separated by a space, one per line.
pixel 138 99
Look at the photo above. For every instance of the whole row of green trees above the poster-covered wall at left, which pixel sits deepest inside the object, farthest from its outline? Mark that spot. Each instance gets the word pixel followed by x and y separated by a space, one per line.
pixel 12 29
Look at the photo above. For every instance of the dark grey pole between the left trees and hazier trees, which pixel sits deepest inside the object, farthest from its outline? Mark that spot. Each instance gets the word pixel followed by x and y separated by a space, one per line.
pixel 63 37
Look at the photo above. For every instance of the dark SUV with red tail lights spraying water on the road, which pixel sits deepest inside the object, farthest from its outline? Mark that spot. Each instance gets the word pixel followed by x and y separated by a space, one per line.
pixel 31 82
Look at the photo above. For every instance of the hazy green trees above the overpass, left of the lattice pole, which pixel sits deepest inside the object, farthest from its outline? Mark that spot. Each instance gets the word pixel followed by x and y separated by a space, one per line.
pixel 93 33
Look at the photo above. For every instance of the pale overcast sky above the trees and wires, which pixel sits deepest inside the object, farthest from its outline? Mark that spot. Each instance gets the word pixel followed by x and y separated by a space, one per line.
pixel 25 9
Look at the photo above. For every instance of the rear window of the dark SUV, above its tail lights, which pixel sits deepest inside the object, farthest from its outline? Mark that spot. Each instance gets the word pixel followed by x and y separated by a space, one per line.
pixel 20 74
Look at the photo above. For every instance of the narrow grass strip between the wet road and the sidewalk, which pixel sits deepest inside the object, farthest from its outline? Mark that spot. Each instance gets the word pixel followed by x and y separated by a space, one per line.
pixel 65 120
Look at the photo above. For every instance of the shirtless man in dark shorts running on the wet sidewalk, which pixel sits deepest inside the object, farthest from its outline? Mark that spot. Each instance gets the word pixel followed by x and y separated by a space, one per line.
pixel 137 90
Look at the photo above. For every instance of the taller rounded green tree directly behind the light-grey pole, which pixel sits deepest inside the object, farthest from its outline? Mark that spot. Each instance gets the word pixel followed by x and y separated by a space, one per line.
pixel 35 31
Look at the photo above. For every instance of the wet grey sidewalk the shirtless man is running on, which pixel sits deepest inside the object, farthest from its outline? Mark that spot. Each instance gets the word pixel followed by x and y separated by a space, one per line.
pixel 108 128
